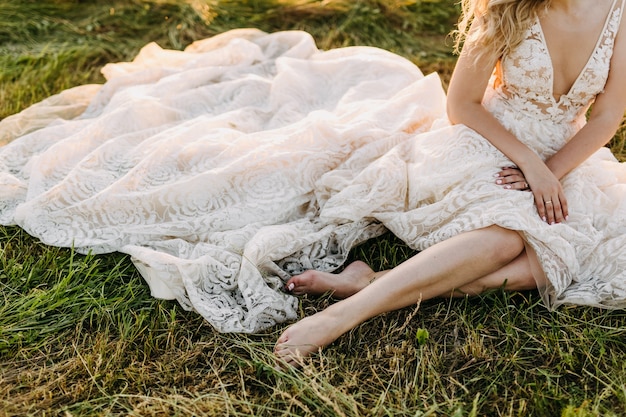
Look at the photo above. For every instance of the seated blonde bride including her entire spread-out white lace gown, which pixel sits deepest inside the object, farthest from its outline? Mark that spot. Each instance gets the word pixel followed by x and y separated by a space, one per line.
pixel 238 172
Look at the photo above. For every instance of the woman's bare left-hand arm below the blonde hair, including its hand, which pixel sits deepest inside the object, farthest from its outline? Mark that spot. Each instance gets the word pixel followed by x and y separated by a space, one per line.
pixel 465 95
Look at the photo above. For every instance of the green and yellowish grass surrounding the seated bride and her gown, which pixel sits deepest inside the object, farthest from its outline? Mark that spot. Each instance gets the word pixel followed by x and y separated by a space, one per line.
pixel 80 335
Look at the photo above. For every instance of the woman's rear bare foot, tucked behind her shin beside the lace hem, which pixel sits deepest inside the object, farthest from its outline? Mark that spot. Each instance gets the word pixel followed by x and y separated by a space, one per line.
pixel 351 280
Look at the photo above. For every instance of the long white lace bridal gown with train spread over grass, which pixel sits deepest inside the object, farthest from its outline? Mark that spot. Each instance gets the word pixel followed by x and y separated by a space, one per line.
pixel 224 168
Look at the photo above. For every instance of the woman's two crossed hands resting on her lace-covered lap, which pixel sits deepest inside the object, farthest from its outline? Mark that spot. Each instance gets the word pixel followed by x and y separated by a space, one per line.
pixel 546 188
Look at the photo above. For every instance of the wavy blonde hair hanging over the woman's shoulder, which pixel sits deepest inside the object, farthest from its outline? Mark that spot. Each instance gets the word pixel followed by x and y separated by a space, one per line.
pixel 497 26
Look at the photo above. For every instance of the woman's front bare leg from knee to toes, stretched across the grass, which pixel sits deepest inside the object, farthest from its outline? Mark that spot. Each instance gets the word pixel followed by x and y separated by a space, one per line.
pixel 440 269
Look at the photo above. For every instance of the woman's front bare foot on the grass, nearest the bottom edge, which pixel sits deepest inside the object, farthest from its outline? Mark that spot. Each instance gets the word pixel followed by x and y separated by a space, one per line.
pixel 305 338
